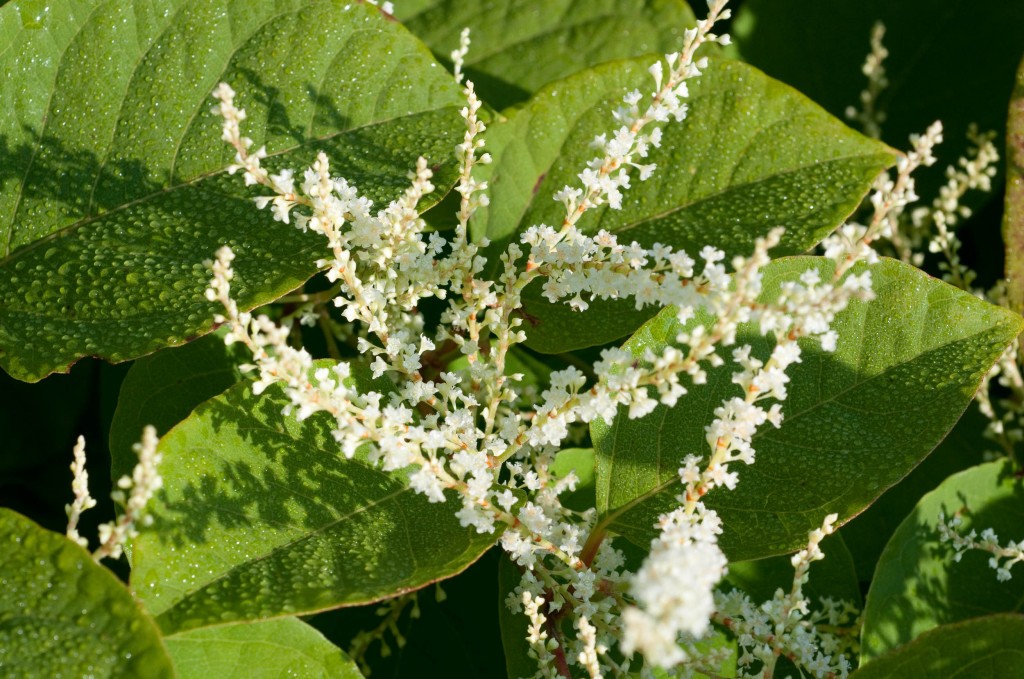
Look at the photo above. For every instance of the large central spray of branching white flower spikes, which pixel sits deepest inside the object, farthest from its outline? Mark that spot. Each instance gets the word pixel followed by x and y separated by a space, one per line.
pixel 476 431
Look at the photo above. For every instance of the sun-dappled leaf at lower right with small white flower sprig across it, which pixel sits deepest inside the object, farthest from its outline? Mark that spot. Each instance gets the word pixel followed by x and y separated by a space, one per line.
pixel 918 585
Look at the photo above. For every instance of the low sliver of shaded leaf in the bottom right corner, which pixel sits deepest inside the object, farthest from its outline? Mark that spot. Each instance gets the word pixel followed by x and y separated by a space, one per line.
pixel 990 647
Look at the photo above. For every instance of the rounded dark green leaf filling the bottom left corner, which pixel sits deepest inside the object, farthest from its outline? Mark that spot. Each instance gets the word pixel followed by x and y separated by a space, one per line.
pixel 64 615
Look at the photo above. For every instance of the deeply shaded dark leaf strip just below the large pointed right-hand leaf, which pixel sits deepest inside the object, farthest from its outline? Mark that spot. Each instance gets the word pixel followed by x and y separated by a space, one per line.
pixel 870 532
